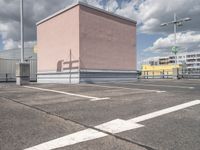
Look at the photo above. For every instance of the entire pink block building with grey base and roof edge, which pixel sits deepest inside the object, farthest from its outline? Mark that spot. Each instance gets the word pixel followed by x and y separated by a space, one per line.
pixel 83 43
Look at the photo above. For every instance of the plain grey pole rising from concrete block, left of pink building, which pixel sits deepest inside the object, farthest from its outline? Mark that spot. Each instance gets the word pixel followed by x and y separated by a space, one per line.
pixel 22 30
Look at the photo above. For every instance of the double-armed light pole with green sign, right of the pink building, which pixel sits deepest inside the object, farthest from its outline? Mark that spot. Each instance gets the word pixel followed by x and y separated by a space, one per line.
pixel 176 22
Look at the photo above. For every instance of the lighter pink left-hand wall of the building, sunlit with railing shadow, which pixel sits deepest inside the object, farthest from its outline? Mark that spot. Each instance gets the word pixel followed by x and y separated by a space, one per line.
pixel 55 38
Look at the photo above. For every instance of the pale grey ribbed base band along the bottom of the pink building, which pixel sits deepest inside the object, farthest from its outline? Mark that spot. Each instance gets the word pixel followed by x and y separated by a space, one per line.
pixel 86 76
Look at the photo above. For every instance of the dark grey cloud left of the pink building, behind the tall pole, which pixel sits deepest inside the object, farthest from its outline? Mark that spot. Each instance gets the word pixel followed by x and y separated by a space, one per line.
pixel 34 10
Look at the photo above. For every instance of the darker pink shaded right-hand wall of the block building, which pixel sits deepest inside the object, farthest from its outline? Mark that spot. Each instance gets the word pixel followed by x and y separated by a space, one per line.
pixel 106 42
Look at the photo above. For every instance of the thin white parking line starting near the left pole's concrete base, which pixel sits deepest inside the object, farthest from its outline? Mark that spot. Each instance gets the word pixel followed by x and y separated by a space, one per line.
pixel 67 93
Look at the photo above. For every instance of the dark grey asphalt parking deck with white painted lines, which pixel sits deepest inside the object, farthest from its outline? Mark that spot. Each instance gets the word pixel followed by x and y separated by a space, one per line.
pixel 39 113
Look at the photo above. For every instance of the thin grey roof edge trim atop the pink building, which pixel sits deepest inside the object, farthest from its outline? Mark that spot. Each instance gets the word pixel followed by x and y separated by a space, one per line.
pixel 86 5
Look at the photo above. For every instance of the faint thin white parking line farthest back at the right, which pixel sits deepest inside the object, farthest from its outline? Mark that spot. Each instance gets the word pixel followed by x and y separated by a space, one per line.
pixel 159 85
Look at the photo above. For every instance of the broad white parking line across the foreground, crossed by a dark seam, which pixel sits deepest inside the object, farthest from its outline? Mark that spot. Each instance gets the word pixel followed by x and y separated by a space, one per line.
pixel 109 128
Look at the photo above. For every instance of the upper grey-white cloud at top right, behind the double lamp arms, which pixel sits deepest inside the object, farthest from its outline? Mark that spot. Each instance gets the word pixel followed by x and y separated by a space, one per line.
pixel 154 12
